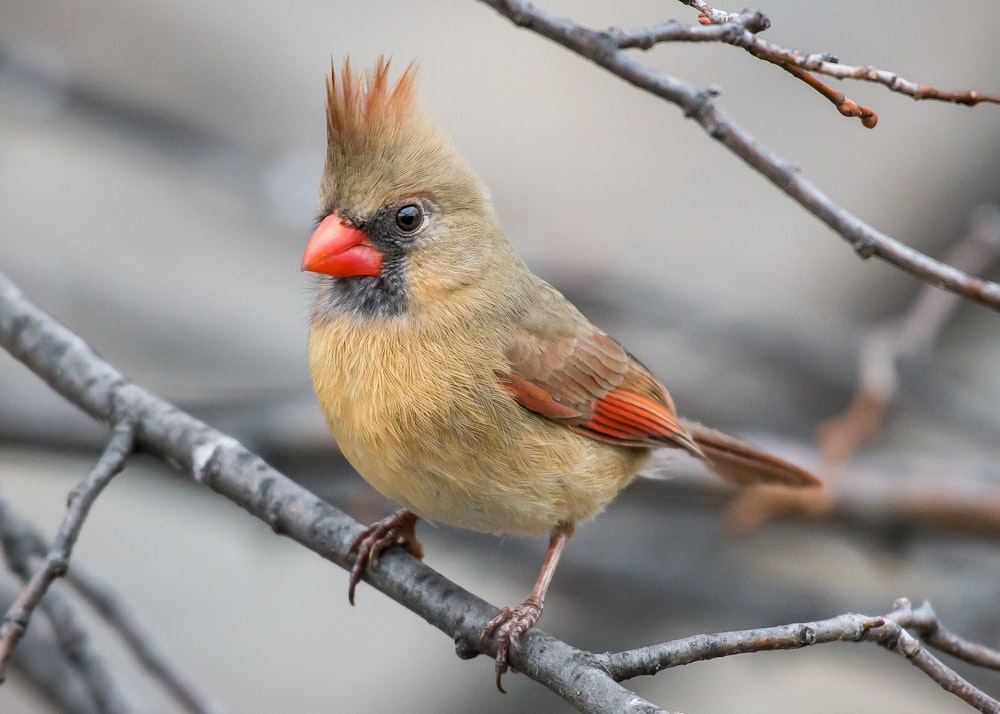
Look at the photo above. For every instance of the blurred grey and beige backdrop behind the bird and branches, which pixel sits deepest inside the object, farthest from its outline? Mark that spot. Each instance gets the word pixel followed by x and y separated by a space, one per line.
pixel 159 164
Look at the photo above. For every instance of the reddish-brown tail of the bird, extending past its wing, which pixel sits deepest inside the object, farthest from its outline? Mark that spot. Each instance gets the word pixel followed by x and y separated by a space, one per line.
pixel 741 463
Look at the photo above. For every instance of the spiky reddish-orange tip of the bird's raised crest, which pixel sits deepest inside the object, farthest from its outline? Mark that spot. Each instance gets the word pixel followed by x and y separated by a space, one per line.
pixel 367 104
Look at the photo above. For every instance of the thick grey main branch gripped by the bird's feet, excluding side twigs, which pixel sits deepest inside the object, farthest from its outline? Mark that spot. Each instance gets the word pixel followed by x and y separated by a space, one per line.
pixel 75 371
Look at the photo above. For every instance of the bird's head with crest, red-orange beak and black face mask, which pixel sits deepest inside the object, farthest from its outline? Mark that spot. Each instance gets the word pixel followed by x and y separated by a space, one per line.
pixel 403 220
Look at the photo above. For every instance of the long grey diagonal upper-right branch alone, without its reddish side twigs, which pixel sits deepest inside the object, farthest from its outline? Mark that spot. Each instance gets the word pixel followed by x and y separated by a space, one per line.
pixel 697 103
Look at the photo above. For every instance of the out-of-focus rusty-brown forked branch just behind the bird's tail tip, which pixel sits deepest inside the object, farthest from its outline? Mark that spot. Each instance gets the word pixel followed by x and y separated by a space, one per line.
pixel 904 339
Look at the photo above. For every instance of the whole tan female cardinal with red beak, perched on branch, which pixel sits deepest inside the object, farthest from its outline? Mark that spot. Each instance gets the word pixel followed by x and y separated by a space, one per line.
pixel 458 383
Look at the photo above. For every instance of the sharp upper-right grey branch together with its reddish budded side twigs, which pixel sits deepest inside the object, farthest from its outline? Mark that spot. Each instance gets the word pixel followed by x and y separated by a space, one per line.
pixel 607 49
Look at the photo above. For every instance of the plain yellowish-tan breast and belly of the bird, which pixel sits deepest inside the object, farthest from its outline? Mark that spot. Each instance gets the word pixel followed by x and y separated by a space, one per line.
pixel 424 420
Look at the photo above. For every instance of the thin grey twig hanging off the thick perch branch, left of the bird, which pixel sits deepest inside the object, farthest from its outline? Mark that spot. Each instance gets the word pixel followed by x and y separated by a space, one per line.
pixel 56 561
